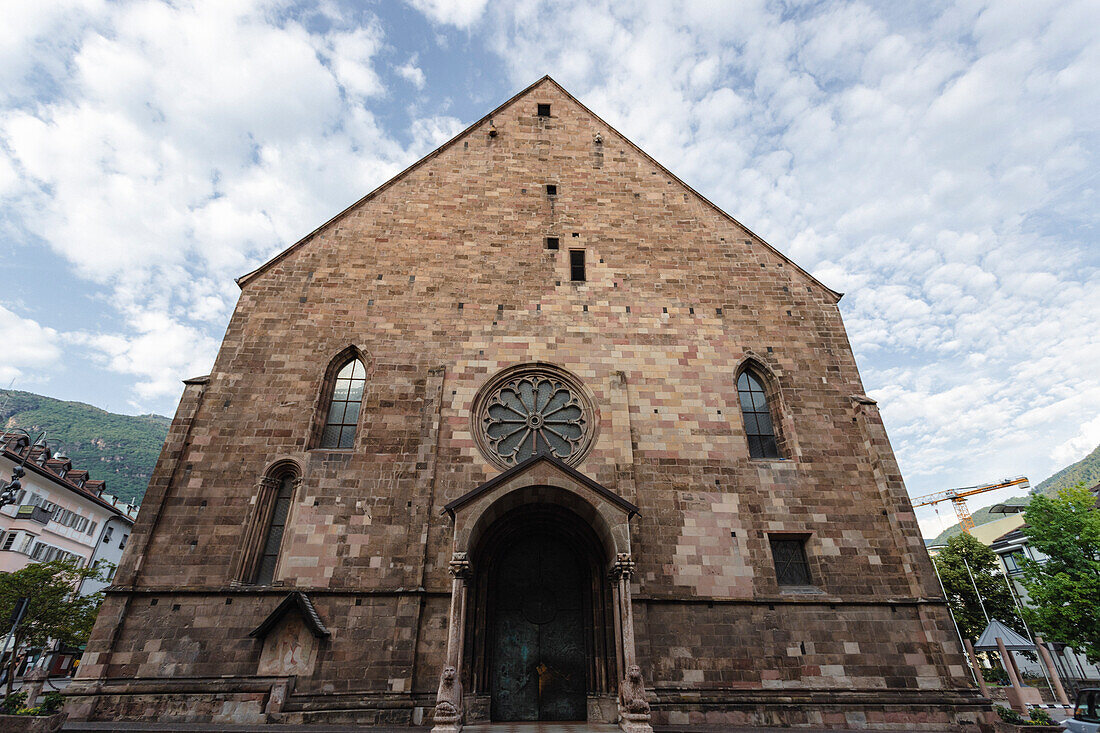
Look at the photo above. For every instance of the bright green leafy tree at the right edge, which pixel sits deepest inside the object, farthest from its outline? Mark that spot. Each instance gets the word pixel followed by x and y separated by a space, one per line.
pixel 1065 589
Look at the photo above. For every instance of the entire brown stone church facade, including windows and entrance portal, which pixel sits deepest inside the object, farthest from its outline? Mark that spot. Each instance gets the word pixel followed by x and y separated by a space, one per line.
pixel 530 418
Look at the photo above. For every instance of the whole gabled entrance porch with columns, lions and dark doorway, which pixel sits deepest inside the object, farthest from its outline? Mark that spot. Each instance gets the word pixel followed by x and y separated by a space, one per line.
pixel 541 543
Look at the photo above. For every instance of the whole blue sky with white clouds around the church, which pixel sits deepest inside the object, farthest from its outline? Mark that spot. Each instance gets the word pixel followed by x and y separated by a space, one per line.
pixel 937 162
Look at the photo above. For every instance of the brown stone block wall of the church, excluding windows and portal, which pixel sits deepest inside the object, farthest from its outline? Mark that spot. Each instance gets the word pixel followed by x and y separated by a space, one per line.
pixel 442 279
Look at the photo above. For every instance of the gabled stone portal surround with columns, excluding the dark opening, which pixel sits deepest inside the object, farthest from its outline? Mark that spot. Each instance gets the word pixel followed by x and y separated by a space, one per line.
pixel 544 480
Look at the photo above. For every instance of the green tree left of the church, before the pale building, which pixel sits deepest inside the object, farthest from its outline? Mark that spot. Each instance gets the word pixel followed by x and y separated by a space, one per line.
pixel 56 611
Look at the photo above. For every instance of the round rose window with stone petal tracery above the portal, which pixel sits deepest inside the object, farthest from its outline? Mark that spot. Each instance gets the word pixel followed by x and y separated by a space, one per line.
pixel 534 410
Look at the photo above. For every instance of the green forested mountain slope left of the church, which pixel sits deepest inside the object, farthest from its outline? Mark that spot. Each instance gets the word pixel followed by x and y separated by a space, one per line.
pixel 122 450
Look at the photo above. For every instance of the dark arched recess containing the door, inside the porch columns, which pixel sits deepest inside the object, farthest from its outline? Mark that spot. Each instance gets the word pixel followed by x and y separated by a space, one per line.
pixel 543 642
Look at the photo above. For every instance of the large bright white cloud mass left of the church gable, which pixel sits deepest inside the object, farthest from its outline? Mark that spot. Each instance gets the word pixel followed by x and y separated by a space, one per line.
pixel 178 147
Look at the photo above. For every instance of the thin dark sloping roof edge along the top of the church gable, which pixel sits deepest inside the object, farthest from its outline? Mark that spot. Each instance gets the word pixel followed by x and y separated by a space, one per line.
pixel 244 280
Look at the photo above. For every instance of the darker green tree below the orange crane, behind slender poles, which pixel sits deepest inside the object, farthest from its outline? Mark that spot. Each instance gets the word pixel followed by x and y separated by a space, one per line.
pixel 952 563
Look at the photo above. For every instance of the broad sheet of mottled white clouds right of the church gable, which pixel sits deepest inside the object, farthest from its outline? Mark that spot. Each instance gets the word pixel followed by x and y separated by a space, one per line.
pixel 920 163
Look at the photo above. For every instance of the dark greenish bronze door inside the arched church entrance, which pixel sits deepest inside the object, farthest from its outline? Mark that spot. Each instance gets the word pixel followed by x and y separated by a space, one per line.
pixel 537 642
